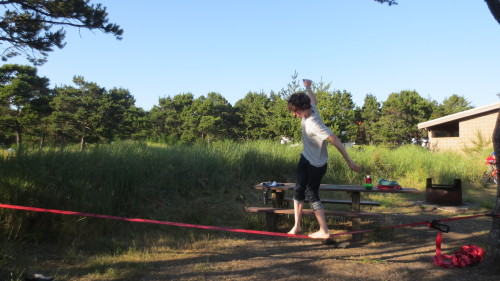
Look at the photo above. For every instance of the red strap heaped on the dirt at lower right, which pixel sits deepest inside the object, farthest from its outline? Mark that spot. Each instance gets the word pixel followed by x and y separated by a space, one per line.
pixel 467 255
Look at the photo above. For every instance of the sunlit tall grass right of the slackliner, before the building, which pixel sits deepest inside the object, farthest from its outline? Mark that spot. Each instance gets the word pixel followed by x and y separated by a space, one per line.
pixel 410 165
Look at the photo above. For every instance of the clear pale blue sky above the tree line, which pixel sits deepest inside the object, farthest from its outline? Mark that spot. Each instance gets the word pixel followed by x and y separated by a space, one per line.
pixel 438 48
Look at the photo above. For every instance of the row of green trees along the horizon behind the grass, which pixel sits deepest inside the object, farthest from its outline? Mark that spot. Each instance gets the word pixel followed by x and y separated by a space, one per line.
pixel 32 112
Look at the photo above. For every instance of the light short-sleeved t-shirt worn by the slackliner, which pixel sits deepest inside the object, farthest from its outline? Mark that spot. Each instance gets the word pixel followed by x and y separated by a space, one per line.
pixel 314 135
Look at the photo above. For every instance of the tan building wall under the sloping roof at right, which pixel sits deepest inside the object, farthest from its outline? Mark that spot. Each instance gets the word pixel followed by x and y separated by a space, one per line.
pixel 468 133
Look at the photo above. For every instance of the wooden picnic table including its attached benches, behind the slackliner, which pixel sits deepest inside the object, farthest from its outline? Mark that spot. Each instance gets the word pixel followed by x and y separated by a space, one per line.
pixel 279 207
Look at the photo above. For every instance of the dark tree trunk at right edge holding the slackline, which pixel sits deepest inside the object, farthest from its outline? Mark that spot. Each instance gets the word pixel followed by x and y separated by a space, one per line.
pixel 493 254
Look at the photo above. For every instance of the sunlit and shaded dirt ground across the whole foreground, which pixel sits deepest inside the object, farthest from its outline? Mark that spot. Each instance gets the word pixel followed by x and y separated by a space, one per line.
pixel 392 254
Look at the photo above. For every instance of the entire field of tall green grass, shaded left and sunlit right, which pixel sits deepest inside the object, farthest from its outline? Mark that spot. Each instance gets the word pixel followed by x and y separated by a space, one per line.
pixel 201 184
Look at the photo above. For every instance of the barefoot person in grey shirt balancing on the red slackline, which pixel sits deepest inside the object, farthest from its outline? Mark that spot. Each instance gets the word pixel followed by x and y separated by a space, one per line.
pixel 312 165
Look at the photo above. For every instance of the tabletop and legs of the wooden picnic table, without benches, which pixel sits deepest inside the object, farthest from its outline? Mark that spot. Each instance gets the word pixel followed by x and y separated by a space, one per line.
pixel 354 190
